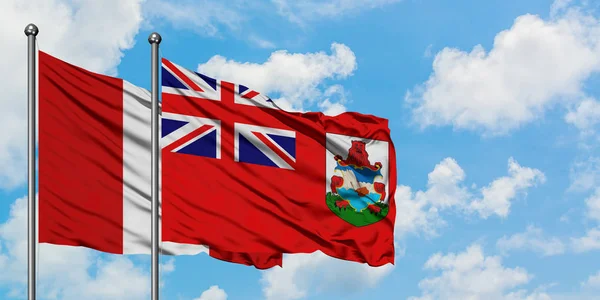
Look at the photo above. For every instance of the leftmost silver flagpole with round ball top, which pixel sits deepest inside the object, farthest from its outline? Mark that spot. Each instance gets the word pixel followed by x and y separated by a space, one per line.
pixel 31 32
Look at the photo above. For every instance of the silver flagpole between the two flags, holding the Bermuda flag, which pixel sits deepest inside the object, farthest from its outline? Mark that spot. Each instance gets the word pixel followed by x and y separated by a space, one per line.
pixel 154 39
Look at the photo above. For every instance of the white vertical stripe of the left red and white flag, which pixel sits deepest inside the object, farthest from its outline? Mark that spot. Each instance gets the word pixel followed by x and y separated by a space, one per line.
pixel 136 177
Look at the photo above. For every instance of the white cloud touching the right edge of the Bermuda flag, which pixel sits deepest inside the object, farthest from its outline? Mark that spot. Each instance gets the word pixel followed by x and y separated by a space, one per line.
pixel 446 190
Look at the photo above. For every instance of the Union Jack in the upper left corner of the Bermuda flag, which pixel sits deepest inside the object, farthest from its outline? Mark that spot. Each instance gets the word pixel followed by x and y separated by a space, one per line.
pixel 201 136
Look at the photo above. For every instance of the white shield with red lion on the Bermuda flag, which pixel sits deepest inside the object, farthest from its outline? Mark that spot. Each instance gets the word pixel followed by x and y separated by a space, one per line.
pixel 357 179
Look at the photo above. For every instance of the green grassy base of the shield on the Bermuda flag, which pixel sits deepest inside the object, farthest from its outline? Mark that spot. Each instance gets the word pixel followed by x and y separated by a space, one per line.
pixel 366 217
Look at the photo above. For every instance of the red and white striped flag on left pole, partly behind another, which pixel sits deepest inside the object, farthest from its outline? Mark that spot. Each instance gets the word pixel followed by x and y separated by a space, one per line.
pixel 94 166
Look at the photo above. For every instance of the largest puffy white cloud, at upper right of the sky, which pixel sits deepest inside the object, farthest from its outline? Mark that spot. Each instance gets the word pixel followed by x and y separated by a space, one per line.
pixel 532 66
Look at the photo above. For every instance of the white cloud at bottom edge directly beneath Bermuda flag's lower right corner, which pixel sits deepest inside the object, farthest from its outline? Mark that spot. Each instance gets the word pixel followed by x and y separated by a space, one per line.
pixel 305 272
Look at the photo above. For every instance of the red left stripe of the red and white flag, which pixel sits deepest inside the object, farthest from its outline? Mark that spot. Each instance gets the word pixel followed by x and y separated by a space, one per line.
pixel 80 157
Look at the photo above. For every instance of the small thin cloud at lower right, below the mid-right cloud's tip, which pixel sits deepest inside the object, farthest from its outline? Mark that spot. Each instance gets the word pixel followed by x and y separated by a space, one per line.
pixel 532 239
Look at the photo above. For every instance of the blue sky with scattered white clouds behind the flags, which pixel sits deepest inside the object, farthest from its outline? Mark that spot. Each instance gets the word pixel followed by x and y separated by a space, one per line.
pixel 493 110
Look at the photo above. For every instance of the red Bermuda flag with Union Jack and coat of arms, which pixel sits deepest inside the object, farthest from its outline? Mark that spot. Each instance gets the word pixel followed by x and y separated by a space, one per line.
pixel 241 174
